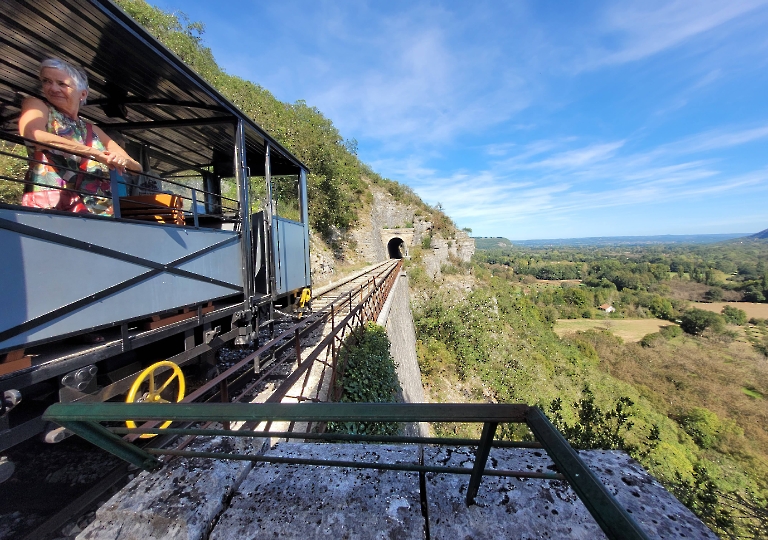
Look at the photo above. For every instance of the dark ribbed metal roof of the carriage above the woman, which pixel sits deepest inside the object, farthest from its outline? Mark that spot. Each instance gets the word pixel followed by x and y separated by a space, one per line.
pixel 137 86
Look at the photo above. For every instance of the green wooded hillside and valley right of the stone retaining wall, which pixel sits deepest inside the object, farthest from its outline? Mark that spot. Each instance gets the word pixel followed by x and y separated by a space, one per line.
pixel 687 400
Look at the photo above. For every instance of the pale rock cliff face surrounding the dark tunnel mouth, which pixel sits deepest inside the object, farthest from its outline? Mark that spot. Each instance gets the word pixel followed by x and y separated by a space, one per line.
pixel 364 244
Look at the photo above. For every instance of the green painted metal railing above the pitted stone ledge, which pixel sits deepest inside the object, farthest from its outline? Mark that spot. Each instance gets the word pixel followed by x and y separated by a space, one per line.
pixel 85 420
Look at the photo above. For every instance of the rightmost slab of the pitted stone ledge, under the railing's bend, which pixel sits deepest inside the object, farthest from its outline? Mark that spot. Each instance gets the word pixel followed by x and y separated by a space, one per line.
pixel 533 508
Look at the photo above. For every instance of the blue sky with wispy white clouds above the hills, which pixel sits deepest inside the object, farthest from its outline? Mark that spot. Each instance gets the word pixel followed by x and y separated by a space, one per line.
pixel 530 119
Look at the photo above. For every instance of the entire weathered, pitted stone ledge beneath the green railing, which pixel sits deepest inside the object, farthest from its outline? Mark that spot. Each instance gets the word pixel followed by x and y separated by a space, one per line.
pixel 201 499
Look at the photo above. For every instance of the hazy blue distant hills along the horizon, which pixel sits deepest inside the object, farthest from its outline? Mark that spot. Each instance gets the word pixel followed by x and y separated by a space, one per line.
pixel 486 243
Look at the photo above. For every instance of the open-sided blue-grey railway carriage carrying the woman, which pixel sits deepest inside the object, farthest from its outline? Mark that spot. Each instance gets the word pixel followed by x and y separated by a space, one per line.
pixel 200 250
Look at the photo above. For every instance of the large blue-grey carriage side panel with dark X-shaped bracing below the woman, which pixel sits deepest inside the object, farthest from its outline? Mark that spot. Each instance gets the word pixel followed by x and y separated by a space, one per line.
pixel 64 274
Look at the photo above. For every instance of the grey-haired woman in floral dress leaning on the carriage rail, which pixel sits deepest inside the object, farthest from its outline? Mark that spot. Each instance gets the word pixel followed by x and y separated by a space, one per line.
pixel 73 154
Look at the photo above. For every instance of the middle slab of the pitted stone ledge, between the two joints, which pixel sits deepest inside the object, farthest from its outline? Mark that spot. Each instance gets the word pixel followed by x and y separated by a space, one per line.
pixel 303 502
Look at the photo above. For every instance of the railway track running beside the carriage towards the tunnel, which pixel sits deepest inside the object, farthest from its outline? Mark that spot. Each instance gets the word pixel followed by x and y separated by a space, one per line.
pixel 269 372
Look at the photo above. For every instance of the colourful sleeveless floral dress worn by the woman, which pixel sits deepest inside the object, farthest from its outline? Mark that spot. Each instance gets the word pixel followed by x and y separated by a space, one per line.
pixel 59 169
